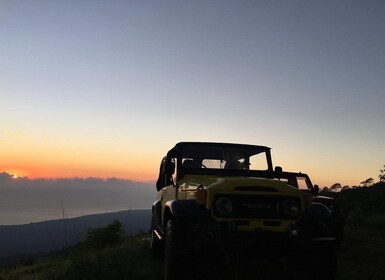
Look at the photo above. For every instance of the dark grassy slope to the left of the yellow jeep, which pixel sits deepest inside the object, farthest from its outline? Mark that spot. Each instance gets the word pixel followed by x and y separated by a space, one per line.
pixel 129 260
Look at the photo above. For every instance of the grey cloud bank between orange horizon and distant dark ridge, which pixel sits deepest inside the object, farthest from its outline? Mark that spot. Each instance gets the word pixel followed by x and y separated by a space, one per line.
pixel 24 200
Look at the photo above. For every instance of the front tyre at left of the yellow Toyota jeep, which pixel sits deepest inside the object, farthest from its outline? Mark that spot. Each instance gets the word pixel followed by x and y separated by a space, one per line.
pixel 175 252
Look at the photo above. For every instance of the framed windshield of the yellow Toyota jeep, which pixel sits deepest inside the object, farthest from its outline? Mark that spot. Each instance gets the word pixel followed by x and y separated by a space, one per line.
pixel 223 159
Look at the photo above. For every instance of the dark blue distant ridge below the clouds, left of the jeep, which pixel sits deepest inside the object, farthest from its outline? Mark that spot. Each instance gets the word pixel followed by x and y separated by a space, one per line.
pixel 49 236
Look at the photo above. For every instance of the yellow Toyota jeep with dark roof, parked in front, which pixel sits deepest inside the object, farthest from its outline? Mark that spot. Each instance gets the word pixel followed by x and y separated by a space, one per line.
pixel 221 194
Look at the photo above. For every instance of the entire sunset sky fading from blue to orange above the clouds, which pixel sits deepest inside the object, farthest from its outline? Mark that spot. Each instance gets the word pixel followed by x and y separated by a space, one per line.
pixel 105 88
